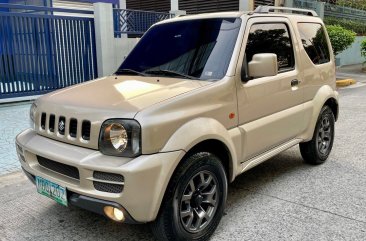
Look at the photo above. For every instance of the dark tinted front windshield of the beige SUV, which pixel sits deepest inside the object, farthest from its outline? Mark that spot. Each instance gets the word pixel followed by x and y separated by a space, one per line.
pixel 196 49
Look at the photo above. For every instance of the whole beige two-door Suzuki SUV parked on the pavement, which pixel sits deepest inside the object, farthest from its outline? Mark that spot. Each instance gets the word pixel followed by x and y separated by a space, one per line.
pixel 199 100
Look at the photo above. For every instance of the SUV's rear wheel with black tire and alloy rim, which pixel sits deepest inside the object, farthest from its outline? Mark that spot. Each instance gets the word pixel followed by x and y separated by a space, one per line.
pixel 318 149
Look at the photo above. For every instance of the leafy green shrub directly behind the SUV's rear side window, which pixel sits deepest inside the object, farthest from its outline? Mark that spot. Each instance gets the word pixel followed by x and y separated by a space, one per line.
pixel 340 38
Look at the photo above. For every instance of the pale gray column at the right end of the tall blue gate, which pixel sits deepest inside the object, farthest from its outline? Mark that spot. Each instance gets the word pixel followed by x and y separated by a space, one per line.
pixel 104 37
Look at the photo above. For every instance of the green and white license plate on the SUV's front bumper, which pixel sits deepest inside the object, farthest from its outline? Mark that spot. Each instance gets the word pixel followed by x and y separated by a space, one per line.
pixel 51 190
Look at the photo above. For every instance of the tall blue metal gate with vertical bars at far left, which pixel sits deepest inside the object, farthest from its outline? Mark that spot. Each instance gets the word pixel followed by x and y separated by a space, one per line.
pixel 42 50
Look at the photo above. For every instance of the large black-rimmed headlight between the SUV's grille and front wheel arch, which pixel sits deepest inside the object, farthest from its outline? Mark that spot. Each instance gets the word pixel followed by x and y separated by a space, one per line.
pixel 120 138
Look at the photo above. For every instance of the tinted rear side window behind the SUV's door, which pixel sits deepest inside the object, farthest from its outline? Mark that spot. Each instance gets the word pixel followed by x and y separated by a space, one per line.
pixel 314 41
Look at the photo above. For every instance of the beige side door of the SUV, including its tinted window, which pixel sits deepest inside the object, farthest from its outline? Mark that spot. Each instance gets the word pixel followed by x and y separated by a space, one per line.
pixel 270 108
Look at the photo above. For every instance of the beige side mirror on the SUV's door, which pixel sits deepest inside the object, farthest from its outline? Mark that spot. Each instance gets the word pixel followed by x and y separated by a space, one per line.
pixel 263 65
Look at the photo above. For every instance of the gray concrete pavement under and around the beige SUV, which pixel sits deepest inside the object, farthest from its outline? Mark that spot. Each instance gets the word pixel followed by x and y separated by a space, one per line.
pixel 281 199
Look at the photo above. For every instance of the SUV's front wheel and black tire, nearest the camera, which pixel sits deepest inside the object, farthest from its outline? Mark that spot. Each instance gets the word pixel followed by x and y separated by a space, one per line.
pixel 198 184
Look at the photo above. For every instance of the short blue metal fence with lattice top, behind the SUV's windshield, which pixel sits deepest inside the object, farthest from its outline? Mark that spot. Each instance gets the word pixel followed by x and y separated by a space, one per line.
pixel 136 22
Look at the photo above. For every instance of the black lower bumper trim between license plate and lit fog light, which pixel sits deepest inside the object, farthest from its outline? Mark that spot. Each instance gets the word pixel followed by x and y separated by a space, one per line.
pixel 97 205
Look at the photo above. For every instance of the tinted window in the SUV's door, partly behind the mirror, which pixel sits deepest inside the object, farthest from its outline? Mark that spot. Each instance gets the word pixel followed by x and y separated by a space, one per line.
pixel 271 38
